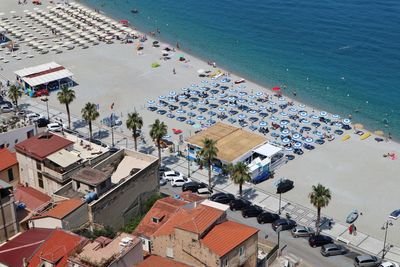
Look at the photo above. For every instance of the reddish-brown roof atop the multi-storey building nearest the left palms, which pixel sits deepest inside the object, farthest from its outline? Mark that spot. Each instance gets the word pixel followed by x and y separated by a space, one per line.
pixel 42 145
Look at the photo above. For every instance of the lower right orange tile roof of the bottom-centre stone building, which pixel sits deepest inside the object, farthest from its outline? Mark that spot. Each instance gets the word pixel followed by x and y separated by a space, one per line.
pixel 226 236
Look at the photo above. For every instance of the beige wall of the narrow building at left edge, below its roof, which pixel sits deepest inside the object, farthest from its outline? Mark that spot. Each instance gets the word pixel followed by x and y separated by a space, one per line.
pixel 8 219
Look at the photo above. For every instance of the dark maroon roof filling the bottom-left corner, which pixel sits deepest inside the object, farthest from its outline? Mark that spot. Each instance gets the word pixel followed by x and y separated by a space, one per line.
pixel 22 246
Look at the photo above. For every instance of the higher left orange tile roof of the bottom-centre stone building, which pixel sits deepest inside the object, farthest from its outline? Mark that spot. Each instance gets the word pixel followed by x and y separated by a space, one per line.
pixel 195 220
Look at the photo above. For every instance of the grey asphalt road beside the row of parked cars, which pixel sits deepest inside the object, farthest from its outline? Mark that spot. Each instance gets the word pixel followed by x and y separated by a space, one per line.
pixel 296 246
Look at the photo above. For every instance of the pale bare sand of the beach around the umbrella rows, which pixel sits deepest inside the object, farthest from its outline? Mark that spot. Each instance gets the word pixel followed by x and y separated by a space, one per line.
pixel 355 170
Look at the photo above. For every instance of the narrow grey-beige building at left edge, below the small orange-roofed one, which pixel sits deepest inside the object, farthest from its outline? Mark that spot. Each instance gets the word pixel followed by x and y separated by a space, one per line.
pixel 8 218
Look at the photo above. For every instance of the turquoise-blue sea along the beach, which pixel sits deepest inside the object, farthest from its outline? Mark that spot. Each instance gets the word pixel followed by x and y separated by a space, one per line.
pixel 342 56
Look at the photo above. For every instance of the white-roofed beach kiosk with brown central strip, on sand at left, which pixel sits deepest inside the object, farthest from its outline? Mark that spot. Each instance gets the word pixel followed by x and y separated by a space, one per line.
pixel 50 76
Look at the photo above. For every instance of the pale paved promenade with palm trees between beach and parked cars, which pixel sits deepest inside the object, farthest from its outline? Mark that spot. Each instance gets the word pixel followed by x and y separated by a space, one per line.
pixel 302 215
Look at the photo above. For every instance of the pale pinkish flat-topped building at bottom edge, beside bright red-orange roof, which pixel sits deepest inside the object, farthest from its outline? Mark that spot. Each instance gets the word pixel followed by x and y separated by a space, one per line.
pixel 124 250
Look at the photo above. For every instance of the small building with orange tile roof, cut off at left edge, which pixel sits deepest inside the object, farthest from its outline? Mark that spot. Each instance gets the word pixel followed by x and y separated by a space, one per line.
pixel 9 171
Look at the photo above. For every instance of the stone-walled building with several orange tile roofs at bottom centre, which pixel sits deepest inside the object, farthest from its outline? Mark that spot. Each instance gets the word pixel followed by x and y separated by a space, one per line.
pixel 198 234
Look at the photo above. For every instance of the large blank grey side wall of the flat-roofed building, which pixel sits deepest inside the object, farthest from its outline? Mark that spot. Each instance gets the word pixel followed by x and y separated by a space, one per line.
pixel 118 206
